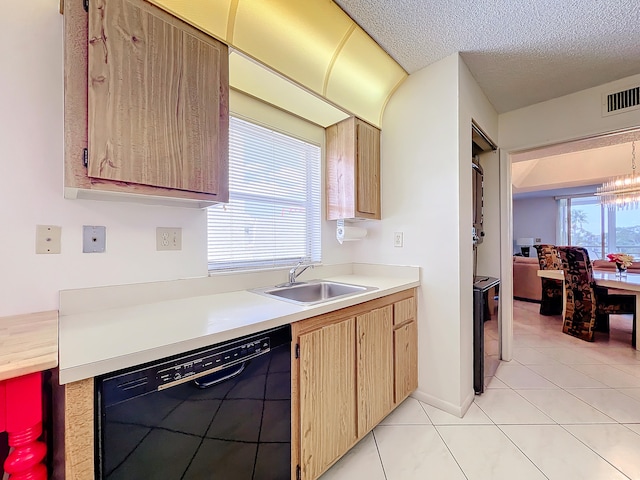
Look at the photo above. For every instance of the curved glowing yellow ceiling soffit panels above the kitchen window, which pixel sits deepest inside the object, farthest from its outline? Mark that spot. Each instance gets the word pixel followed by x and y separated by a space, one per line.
pixel 314 44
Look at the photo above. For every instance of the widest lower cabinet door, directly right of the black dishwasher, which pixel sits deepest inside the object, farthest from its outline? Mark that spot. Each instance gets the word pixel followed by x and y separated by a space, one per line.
pixel 327 396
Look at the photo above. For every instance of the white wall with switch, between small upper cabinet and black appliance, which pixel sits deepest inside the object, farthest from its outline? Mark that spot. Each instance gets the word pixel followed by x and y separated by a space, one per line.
pixel 426 194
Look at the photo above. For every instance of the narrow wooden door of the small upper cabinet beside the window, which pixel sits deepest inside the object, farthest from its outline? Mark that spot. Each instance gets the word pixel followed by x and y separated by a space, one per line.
pixel 368 170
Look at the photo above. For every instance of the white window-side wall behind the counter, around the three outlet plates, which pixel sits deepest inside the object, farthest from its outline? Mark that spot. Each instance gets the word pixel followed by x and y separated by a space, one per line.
pixel 31 152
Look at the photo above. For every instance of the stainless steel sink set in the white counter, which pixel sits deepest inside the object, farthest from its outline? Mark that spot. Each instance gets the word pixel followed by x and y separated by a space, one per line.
pixel 309 293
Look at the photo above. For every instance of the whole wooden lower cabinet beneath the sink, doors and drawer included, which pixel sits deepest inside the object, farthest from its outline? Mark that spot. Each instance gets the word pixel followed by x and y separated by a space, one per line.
pixel 351 368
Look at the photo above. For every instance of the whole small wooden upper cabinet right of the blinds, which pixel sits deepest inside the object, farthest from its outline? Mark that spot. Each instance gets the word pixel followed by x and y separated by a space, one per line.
pixel 353 170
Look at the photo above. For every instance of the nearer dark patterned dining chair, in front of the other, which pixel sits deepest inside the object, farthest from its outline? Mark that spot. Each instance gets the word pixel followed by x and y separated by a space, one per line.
pixel 585 302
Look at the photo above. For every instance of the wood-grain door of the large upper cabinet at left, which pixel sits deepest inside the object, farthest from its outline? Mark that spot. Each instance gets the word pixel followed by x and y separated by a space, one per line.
pixel 158 99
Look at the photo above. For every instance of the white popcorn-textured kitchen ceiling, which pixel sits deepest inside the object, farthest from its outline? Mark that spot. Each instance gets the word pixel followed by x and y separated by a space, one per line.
pixel 520 52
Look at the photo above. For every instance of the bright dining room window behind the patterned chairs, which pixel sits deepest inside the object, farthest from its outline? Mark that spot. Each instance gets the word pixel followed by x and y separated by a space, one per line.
pixel 586 223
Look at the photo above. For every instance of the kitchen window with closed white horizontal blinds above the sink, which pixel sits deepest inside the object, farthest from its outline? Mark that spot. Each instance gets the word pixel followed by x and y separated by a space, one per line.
pixel 273 215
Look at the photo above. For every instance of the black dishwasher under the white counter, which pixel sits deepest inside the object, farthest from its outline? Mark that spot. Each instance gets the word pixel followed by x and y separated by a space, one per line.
pixel 220 412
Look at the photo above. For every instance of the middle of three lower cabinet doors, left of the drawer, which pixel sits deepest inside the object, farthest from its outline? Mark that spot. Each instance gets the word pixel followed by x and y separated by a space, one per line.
pixel 375 367
